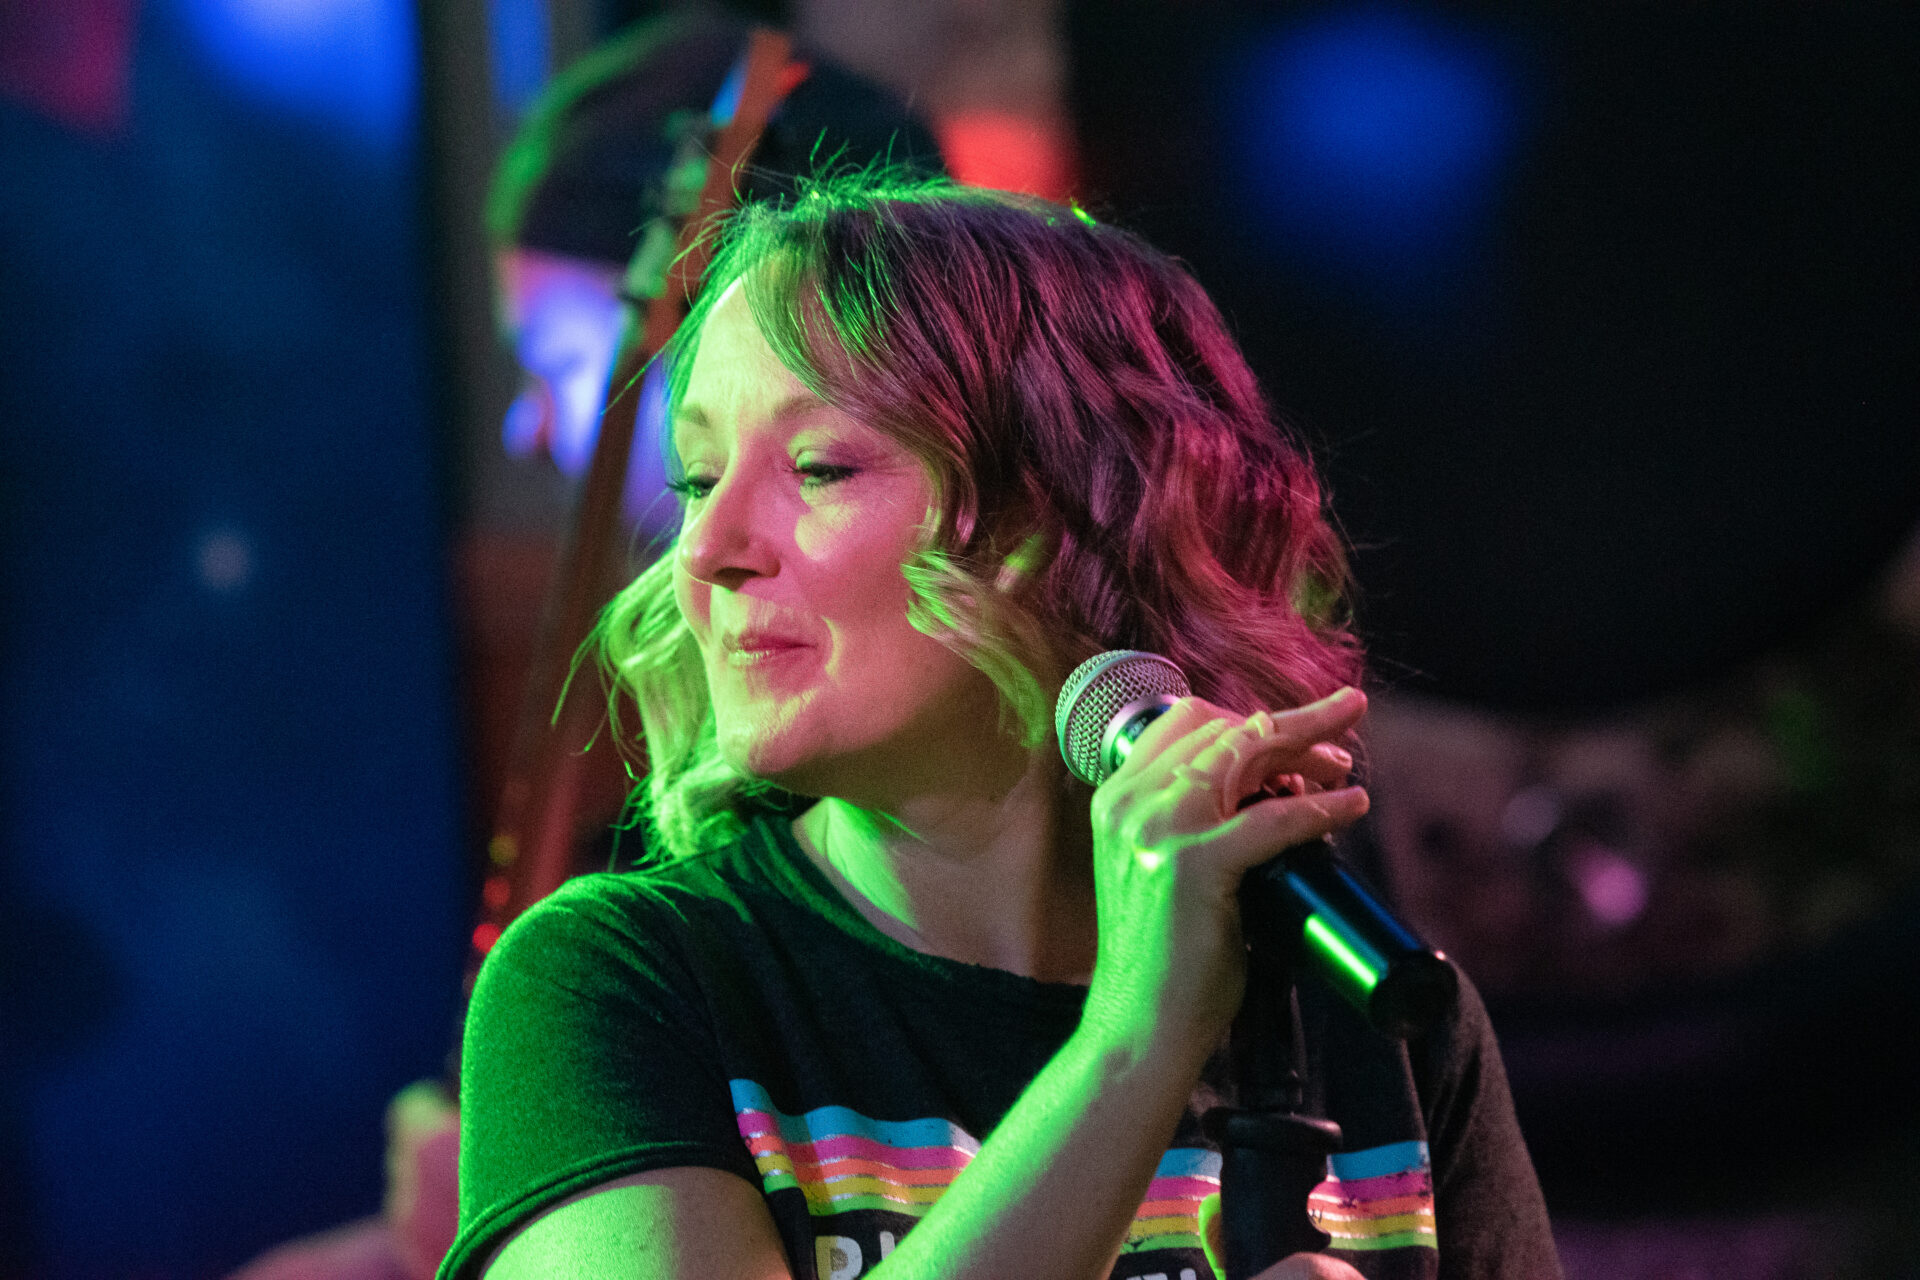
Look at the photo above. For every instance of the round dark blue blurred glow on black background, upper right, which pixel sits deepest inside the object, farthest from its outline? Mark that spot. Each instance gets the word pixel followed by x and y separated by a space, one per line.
pixel 1376 131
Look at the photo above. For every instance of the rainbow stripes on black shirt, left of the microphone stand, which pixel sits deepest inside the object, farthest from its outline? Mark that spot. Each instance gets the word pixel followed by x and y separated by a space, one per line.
pixel 842 1160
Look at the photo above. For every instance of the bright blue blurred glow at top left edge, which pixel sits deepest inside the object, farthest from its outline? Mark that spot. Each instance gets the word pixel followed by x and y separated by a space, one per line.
pixel 347 64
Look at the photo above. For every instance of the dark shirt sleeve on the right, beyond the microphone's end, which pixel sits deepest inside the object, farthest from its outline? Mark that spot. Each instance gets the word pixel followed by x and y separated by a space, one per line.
pixel 1487 1198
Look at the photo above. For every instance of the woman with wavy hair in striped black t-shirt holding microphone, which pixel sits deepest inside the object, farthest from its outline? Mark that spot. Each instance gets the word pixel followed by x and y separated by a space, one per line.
pixel 896 968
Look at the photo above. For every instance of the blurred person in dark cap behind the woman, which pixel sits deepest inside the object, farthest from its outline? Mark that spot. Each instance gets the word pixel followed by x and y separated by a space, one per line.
pixel 581 178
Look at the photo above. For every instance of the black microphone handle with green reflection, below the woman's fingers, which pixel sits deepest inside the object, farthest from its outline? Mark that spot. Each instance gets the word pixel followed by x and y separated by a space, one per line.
pixel 1328 914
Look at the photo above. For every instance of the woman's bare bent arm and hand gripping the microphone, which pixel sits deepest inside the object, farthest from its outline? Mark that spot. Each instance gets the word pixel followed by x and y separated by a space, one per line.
pixel 1061 1179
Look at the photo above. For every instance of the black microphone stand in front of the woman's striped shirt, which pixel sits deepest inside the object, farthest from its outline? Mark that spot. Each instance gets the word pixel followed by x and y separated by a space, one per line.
pixel 1274 1154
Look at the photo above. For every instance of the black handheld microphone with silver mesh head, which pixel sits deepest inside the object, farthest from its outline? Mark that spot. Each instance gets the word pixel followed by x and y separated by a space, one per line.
pixel 1351 939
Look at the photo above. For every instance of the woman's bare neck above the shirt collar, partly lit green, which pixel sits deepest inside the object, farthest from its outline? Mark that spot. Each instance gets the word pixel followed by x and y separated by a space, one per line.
pixel 997 878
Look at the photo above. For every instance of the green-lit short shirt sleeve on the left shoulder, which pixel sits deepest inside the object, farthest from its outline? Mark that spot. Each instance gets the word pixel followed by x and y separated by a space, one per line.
pixel 588 1056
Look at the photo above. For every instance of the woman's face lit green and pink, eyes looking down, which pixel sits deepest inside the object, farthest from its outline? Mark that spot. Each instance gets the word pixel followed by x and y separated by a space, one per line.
pixel 788 571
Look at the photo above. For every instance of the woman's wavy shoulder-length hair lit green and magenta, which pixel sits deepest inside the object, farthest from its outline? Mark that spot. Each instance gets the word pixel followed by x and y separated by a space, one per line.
pixel 1105 467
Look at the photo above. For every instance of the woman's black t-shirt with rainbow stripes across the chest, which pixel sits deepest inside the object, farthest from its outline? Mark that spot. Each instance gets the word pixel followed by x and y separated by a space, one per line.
pixel 736 1012
